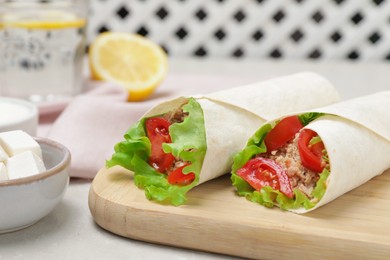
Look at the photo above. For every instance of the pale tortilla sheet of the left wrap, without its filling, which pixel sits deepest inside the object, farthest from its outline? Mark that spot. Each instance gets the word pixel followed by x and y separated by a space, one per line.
pixel 231 116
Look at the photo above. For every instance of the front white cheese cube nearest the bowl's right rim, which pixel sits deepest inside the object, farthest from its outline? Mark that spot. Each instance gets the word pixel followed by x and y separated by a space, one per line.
pixel 24 164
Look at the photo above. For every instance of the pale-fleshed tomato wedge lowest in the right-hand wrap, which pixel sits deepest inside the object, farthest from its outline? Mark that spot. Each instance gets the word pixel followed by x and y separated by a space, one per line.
pixel 260 172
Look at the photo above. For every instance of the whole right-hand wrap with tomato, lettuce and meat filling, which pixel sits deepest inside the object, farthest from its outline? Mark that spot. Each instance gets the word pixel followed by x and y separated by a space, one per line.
pixel 302 161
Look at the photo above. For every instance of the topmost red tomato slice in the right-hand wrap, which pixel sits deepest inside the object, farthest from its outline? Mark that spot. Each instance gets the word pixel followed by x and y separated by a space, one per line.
pixel 283 132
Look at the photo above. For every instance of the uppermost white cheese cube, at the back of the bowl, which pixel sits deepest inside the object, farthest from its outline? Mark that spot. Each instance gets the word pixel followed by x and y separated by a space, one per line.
pixel 18 141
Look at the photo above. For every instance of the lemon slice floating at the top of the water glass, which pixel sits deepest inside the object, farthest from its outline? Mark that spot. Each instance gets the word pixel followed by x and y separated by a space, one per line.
pixel 43 20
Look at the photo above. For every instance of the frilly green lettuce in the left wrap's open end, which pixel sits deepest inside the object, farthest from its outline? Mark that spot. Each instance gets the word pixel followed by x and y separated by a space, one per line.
pixel 188 144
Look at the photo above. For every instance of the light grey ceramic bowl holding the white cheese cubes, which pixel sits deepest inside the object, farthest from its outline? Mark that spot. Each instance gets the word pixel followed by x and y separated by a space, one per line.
pixel 25 201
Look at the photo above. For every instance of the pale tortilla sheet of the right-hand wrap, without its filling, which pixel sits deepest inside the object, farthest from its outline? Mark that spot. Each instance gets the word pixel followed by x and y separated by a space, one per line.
pixel 356 136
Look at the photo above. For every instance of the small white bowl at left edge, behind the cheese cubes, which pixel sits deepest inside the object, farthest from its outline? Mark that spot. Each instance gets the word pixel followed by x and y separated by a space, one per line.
pixel 18 114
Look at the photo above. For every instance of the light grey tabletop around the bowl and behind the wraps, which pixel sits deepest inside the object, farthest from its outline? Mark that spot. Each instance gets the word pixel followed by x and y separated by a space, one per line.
pixel 69 232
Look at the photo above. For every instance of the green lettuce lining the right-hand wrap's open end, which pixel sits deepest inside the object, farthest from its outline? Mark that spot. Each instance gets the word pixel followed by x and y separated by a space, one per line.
pixel 267 196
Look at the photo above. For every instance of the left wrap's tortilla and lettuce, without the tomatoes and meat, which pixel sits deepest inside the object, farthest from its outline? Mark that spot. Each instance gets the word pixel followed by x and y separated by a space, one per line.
pixel 217 128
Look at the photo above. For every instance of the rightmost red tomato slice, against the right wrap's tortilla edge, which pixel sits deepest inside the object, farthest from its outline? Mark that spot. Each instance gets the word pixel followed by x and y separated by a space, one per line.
pixel 310 154
